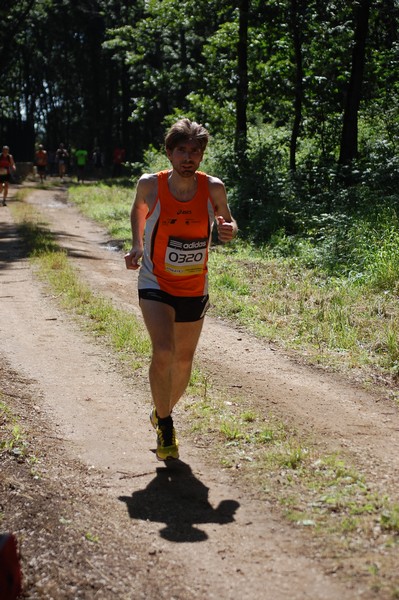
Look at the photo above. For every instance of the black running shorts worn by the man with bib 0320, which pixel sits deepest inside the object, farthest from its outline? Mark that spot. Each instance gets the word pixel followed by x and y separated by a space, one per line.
pixel 187 308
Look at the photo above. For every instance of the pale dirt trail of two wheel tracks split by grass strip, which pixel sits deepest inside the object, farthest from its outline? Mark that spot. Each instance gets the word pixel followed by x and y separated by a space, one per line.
pixel 190 525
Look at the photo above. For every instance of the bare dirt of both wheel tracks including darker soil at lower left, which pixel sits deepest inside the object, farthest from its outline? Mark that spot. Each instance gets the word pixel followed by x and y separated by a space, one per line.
pixel 100 517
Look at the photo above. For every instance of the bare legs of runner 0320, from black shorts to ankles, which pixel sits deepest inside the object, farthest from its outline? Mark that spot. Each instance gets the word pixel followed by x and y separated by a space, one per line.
pixel 173 348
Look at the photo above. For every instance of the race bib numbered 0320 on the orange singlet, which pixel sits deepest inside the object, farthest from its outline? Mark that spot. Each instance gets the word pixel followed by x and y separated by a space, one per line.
pixel 185 257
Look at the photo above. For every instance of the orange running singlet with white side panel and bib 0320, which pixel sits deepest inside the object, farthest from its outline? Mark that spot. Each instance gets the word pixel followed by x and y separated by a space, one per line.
pixel 177 236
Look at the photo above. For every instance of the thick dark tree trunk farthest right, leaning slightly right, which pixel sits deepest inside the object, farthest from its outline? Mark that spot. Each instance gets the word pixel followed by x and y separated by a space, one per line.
pixel 349 138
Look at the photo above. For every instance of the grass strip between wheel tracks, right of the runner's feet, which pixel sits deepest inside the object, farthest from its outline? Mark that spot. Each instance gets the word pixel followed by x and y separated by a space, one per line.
pixel 317 491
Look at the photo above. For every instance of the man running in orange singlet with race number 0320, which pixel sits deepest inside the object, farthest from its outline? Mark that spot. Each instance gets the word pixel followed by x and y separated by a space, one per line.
pixel 171 219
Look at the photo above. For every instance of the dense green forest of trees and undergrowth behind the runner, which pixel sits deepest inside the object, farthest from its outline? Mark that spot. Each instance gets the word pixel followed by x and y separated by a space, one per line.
pixel 301 98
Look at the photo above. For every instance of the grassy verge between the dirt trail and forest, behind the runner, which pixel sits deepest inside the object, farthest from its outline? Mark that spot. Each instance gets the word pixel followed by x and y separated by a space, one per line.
pixel 334 322
